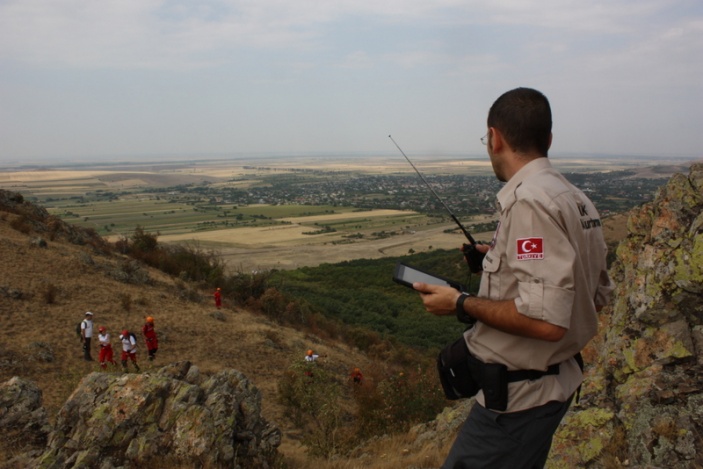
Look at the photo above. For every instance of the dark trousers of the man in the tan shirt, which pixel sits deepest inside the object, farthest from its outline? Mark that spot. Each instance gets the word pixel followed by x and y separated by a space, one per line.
pixel 513 440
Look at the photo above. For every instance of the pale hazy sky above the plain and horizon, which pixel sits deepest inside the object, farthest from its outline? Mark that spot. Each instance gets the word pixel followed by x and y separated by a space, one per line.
pixel 118 79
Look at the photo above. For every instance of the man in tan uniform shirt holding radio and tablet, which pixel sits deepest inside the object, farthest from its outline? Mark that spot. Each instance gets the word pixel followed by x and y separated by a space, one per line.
pixel 544 278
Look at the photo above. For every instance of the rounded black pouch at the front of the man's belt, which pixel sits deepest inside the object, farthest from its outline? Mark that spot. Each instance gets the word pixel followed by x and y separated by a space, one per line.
pixel 454 374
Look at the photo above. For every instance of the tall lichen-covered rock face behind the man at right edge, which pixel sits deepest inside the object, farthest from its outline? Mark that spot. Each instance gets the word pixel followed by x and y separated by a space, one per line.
pixel 642 403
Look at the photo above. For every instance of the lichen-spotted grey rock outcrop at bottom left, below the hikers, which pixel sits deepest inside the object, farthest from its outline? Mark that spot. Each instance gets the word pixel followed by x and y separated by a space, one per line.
pixel 171 418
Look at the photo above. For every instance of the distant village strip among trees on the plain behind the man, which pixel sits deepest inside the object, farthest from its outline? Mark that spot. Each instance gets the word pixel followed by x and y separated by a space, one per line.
pixel 612 192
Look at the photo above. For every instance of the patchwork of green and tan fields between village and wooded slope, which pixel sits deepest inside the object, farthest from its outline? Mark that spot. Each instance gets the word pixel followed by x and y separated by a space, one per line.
pixel 283 237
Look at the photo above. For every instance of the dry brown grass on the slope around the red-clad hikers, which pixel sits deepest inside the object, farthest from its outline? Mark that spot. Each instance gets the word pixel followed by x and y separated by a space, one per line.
pixel 59 283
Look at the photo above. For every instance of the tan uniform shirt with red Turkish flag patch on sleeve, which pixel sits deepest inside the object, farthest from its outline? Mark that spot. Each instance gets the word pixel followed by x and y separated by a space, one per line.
pixel 549 255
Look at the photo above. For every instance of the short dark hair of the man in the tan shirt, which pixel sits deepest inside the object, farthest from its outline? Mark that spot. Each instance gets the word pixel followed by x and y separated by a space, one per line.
pixel 524 118
